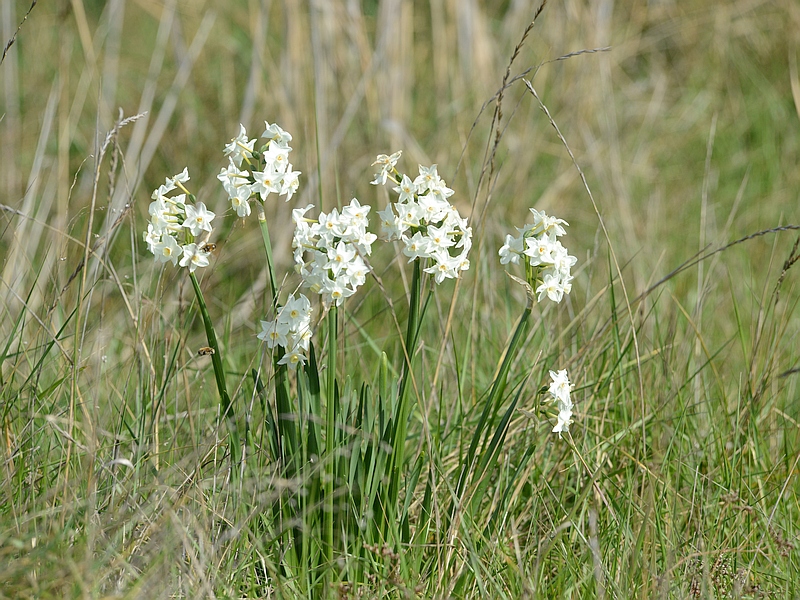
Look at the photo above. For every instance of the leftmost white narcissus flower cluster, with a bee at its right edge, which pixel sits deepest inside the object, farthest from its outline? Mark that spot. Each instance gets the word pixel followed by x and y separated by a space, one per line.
pixel 179 227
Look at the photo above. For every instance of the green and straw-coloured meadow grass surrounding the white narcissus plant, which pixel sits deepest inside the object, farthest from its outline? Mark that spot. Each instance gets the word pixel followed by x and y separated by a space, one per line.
pixel 679 476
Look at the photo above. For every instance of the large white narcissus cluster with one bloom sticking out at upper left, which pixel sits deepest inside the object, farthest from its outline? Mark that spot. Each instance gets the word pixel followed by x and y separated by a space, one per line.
pixel 424 220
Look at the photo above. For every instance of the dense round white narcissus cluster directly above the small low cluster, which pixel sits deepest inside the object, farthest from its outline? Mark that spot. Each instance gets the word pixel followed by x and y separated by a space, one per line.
pixel 334 245
